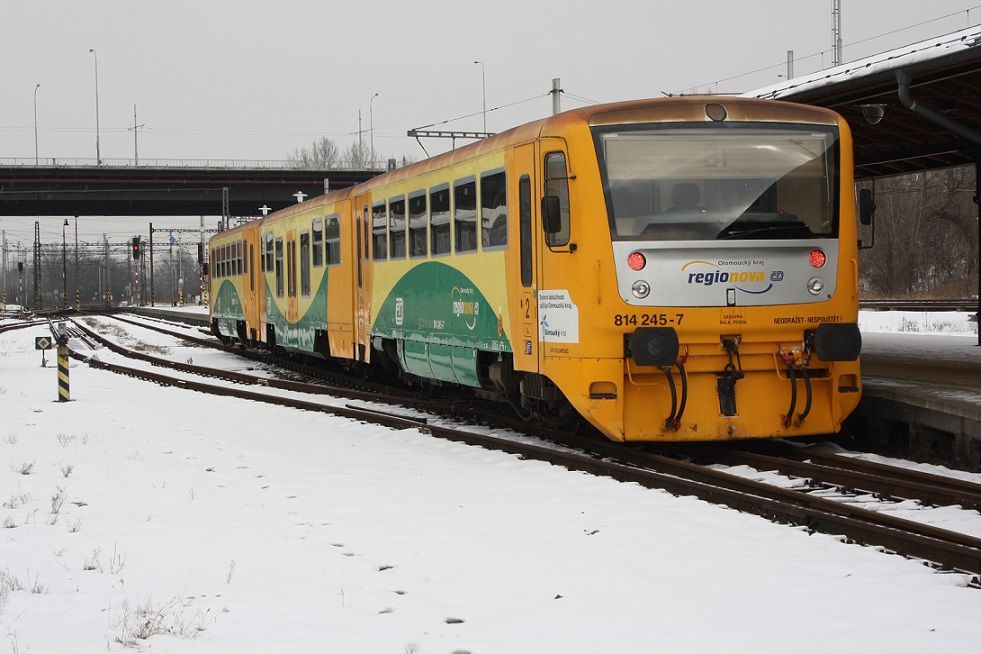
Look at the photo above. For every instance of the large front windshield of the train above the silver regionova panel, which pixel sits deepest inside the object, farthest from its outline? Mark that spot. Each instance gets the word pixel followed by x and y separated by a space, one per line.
pixel 727 181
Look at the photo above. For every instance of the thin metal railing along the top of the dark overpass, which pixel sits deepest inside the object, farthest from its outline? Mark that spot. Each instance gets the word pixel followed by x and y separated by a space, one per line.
pixel 258 164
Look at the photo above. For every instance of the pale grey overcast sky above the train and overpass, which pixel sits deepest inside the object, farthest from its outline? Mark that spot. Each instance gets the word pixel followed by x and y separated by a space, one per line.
pixel 234 79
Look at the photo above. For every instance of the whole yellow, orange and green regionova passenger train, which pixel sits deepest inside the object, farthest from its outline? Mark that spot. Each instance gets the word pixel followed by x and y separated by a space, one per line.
pixel 674 269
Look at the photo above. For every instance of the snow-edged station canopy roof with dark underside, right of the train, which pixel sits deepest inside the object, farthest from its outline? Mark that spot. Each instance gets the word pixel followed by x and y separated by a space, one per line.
pixel 945 77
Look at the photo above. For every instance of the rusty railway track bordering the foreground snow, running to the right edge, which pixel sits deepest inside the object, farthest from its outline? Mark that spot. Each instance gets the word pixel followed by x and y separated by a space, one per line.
pixel 943 548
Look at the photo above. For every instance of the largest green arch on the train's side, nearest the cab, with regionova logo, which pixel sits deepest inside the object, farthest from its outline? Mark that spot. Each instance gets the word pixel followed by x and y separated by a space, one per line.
pixel 437 303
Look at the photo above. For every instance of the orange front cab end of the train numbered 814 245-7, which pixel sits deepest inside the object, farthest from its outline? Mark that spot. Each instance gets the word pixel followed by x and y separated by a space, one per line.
pixel 711 338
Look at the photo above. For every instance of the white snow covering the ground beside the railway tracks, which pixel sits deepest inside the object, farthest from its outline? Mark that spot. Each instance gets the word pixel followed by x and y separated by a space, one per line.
pixel 164 520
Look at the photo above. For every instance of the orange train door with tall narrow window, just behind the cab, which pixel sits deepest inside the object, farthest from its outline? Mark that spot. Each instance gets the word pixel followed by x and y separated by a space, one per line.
pixel 521 191
